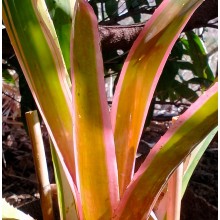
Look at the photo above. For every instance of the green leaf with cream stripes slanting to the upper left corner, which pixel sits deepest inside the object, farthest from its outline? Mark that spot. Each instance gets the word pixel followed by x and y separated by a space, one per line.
pixel 34 40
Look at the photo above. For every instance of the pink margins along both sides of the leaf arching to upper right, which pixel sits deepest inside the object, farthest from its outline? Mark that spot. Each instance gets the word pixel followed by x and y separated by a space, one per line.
pixel 139 40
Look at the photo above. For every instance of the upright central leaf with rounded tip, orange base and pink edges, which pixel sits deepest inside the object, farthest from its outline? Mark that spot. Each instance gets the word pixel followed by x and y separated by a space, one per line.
pixel 93 136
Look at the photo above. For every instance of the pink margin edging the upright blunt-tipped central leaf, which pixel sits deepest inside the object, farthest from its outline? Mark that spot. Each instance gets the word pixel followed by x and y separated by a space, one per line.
pixel 108 133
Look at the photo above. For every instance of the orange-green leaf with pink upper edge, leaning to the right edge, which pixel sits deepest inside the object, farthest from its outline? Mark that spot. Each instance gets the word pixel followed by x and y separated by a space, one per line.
pixel 182 137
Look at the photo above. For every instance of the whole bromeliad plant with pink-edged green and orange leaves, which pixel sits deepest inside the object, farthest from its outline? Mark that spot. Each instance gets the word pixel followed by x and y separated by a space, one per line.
pixel 94 150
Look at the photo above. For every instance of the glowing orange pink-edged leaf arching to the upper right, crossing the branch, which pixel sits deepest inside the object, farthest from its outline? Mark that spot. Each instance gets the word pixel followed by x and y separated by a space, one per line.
pixel 139 78
